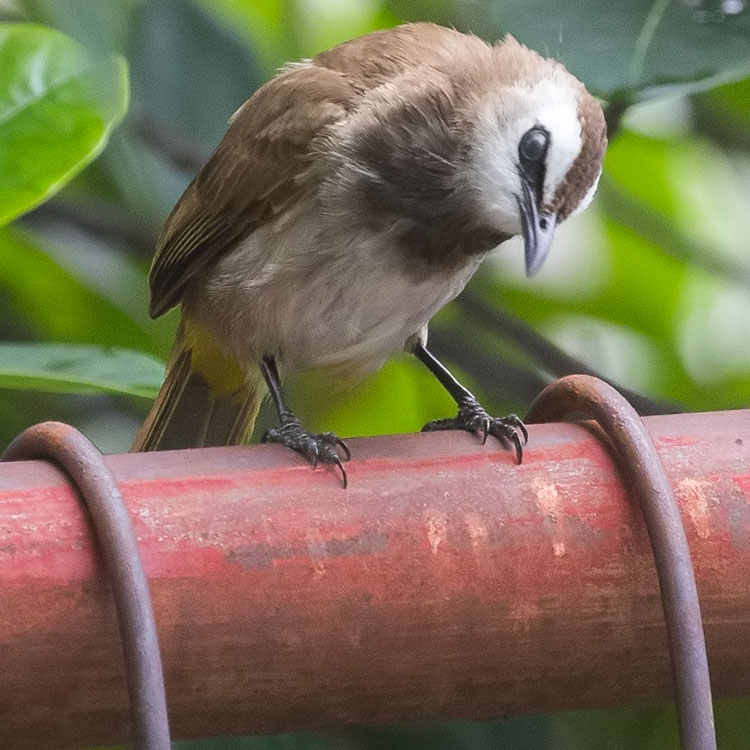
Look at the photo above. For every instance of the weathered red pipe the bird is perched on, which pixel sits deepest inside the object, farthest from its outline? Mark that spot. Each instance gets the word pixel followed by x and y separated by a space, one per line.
pixel 445 582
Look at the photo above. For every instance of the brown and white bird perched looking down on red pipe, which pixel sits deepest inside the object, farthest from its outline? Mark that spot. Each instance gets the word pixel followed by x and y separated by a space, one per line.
pixel 353 196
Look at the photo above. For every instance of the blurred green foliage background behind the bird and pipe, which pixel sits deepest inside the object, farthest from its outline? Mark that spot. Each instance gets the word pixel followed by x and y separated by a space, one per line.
pixel 649 287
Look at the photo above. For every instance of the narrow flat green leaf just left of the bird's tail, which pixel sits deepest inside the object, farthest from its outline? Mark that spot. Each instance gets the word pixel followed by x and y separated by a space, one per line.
pixel 68 368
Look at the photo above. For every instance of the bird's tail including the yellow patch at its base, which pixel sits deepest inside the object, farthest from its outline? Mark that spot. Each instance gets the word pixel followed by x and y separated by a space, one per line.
pixel 207 399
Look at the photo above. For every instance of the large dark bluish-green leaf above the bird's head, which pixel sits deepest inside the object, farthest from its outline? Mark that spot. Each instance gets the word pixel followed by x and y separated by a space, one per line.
pixel 623 49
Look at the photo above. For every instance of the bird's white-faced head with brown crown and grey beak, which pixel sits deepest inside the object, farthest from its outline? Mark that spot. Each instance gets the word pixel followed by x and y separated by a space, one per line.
pixel 538 142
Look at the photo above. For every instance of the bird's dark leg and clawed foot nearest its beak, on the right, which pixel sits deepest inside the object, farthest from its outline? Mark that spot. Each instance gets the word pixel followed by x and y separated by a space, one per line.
pixel 471 415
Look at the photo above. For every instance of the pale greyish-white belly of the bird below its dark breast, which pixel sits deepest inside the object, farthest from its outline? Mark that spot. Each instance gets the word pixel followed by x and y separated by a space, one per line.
pixel 313 305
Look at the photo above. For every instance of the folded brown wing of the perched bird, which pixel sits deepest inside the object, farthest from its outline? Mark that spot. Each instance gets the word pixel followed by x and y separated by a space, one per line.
pixel 252 176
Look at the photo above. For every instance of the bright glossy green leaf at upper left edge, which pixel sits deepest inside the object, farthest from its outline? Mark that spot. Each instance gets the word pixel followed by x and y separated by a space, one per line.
pixel 57 107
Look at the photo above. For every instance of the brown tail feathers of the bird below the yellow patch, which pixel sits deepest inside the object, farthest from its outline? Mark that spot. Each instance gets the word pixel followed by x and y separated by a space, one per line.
pixel 188 413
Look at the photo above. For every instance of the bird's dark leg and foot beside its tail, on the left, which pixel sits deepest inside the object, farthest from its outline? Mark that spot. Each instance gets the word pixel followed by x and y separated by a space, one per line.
pixel 315 447
